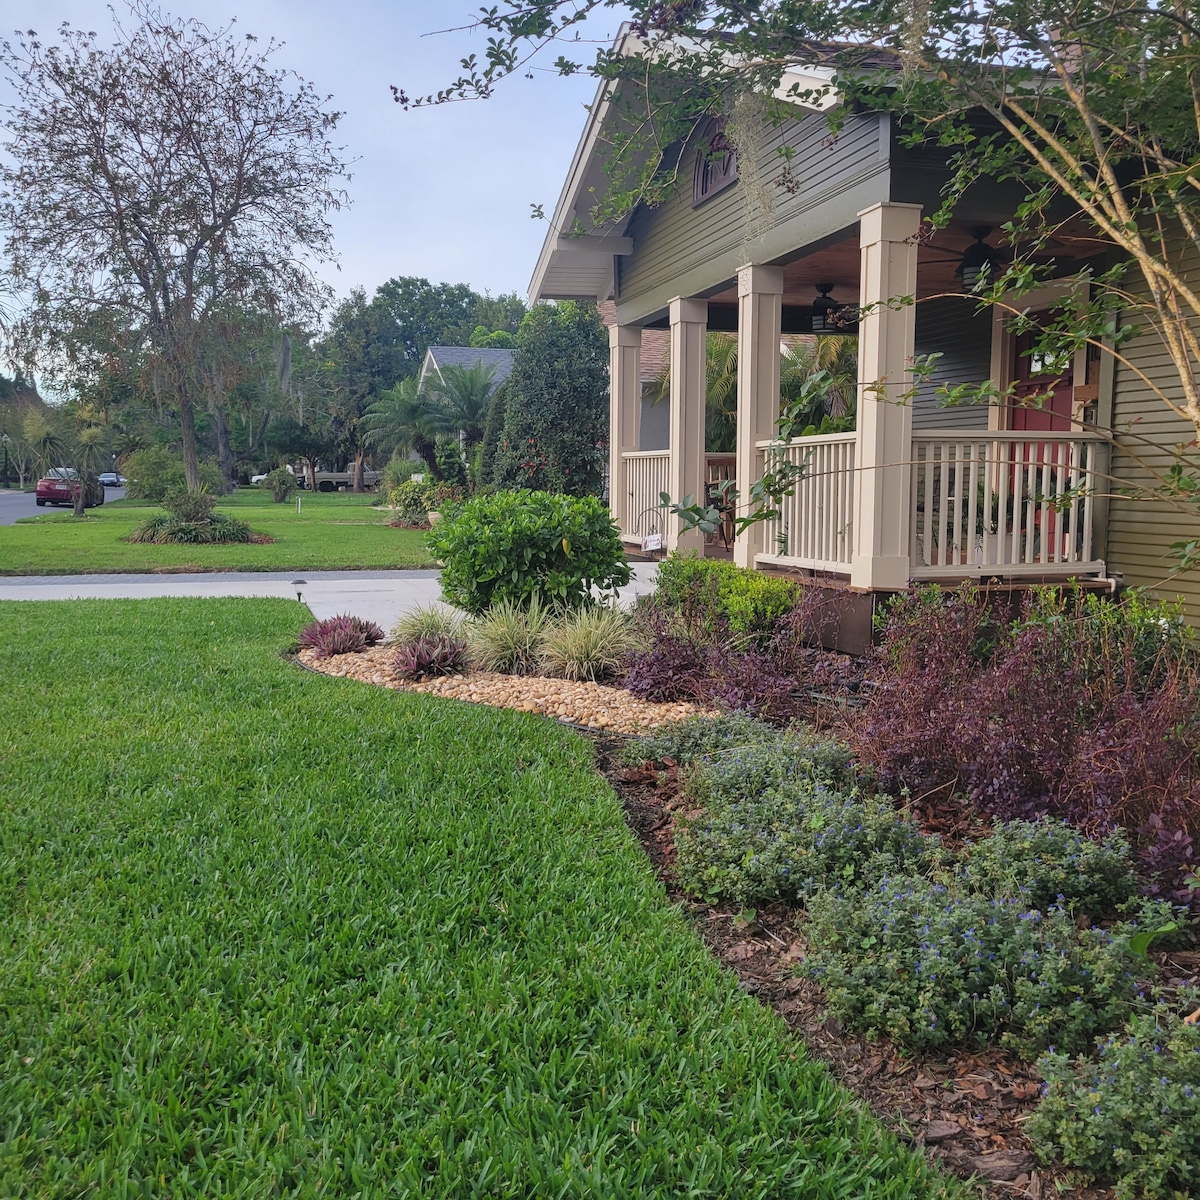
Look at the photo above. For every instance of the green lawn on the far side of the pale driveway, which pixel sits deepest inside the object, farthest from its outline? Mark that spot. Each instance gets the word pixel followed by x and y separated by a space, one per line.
pixel 329 533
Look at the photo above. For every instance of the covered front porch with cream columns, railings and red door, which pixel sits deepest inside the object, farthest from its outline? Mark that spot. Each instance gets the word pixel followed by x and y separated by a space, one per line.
pixel 919 491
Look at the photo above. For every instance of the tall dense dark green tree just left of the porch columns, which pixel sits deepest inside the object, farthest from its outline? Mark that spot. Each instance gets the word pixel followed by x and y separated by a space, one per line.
pixel 557 411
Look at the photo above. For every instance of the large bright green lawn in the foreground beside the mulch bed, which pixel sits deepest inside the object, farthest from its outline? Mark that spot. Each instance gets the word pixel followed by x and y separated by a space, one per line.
pixel 266 933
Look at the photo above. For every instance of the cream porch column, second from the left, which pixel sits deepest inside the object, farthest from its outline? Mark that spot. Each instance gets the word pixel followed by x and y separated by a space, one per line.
pixel 689 328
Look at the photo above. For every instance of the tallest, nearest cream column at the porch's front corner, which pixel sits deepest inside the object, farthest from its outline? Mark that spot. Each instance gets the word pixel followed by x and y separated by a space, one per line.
pixel 884 501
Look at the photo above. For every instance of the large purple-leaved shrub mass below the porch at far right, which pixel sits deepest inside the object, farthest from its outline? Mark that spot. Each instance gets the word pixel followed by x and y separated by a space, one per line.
pixel 1079 709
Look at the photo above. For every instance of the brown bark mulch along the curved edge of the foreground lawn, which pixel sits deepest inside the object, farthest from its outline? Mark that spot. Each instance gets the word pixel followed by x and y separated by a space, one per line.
pixel 965 1109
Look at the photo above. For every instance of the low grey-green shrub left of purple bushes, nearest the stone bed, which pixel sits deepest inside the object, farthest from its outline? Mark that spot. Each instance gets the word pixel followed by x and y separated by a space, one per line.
pixel 781 821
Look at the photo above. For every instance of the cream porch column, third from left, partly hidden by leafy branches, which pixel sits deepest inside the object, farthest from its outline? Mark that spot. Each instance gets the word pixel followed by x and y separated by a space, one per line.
pixel 760 321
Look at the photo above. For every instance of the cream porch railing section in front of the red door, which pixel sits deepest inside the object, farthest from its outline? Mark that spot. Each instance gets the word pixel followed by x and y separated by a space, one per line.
pixel 1005 503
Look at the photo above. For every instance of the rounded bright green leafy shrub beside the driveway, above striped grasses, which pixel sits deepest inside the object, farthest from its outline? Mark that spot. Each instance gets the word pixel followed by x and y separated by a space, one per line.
pixel 517 545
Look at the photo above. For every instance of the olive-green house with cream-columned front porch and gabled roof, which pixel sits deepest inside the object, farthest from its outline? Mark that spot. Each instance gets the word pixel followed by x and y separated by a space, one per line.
pixel 920 491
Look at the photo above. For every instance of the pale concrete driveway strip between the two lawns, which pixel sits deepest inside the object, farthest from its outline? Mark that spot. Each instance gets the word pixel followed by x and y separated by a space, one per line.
pixel 382 597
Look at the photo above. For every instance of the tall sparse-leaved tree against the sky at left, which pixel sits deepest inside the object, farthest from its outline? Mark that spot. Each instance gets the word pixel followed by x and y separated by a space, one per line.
pixel 171 172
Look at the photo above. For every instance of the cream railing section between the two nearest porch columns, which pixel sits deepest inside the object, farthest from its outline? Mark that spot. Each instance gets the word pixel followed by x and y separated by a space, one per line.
pixel 815 527
